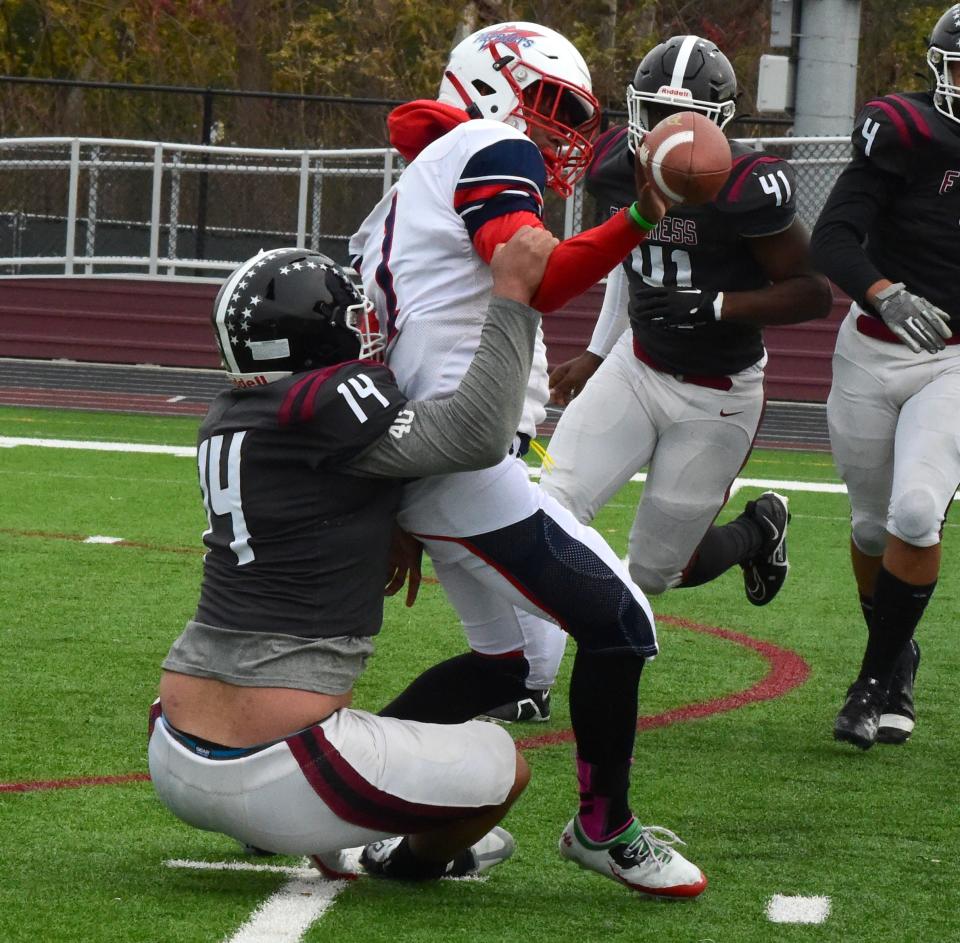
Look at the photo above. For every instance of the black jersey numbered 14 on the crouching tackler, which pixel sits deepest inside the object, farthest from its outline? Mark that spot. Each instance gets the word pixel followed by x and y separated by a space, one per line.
pixel 302 553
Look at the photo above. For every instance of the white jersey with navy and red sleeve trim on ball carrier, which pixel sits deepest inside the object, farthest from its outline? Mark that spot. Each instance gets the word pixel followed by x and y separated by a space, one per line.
pixel 418 264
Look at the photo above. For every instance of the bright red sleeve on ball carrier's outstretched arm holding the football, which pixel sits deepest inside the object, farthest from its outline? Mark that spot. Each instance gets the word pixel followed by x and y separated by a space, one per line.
pixel 575 264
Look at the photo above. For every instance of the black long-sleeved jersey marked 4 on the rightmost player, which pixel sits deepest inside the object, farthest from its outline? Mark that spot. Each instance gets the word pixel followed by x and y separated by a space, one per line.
pixel 900 195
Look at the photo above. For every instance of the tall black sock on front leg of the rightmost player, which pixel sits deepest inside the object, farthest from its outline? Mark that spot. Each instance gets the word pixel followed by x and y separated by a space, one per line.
pixel 897 609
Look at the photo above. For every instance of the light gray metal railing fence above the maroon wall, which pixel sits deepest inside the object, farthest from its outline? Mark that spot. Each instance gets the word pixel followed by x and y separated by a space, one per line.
pixel 102 206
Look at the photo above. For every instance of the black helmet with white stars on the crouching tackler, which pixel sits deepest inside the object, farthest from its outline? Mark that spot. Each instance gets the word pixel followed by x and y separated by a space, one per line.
pixel 289 310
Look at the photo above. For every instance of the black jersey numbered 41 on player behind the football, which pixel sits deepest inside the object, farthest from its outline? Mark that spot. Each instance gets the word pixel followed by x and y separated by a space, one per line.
pixel 704 246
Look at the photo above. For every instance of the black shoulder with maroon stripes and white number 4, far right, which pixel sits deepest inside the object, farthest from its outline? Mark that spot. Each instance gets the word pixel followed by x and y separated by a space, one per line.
pixel 891 131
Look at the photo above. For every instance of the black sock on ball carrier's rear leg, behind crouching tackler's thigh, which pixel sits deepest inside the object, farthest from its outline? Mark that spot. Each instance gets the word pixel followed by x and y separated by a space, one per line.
pixel 460 688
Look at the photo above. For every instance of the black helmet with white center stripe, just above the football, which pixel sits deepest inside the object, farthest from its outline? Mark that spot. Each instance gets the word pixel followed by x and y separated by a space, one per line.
pixel 685 72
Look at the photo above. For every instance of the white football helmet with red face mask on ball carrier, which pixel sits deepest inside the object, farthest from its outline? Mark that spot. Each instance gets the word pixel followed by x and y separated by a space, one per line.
pixel 528 76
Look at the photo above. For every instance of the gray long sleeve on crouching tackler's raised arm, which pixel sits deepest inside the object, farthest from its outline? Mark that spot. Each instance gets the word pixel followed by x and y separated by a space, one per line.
pixel 472 428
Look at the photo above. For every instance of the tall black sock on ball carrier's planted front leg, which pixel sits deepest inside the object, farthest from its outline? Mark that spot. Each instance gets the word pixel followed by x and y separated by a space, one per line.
pixel 603 712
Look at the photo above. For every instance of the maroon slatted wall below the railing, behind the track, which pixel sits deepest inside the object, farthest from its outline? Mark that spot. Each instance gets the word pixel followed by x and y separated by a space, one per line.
pixel 166 323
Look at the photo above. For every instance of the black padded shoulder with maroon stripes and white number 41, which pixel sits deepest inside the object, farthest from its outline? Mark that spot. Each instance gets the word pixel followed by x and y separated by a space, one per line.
pixel 760 195
